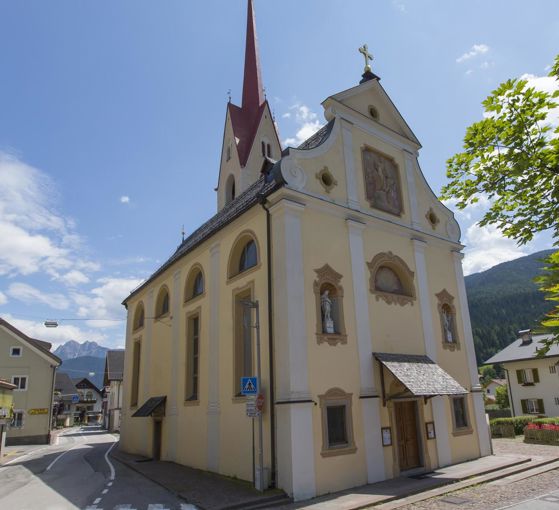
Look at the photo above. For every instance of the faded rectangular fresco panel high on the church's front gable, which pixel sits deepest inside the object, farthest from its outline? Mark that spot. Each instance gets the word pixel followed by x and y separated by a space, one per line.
pixel 382 182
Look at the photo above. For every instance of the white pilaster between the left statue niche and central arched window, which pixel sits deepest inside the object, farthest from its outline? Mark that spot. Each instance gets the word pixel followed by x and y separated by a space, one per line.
pixel 370 411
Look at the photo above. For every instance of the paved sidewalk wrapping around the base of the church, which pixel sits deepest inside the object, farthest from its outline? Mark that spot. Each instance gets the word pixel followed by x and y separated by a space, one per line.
pixel 213 492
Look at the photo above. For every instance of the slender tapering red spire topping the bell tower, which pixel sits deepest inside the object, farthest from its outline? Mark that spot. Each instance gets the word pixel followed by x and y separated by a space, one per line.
pixel 253 92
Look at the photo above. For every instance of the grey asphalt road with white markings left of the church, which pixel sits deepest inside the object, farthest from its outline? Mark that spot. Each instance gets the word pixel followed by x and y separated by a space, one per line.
pixel 78 473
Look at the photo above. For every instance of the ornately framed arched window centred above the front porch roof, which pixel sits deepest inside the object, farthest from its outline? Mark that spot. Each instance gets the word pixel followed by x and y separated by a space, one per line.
pixel 391 279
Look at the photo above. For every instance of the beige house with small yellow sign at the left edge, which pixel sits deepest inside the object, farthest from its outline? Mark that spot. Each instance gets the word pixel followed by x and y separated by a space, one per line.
pixel 28 364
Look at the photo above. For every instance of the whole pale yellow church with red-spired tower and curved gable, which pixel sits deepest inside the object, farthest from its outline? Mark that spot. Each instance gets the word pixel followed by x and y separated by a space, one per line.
pixel 367 360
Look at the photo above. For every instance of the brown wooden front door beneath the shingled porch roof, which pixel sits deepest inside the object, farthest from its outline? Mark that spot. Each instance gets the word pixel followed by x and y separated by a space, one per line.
pixel 407 437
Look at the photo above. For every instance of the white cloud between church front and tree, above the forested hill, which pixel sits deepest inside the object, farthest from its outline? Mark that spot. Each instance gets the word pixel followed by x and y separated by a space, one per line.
pixel 486 247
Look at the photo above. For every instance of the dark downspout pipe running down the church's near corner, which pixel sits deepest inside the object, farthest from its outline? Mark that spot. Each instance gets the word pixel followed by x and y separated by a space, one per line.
pixel 263 203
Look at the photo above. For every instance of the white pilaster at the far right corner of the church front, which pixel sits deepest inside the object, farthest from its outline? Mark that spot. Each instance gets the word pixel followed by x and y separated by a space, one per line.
pixel 479 410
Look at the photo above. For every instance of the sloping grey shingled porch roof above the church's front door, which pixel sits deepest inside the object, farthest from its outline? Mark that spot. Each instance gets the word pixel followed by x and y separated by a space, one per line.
pixel 420 374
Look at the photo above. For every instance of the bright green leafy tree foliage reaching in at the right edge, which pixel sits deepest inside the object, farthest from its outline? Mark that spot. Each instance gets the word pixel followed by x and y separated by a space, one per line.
pixel 511 157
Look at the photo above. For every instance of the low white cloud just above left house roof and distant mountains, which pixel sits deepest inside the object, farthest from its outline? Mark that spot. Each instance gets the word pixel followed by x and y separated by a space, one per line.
pixel 59 335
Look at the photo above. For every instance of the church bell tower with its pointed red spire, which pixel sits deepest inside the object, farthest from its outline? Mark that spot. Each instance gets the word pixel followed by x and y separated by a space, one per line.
pixel 250 136
